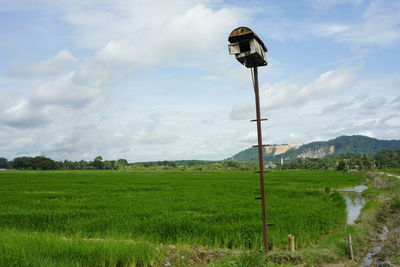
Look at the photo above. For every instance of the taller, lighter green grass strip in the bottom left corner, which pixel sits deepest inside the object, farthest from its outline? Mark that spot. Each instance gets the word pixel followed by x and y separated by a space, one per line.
pixel 44 249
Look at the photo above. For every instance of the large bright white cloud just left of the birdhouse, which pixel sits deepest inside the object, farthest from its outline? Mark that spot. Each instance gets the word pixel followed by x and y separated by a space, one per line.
pixel 196 32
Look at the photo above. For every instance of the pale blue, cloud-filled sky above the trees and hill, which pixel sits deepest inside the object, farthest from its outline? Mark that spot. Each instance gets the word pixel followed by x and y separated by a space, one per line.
pixel 153 80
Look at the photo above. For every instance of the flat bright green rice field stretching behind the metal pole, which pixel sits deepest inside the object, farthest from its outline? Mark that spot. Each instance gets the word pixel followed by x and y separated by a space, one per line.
pixel 59 211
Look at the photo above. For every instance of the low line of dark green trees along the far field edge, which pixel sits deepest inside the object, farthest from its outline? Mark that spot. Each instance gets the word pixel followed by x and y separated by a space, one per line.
pixel 345 162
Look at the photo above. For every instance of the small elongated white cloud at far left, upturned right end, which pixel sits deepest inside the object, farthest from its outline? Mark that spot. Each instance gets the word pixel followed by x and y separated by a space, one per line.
pixel 64 60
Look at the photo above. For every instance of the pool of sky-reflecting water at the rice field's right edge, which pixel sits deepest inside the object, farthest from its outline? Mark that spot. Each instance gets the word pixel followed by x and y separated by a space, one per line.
pixel 354 201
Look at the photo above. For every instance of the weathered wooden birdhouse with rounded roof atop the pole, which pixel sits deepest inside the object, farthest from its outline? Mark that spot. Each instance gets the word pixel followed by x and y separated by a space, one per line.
pixel 247 47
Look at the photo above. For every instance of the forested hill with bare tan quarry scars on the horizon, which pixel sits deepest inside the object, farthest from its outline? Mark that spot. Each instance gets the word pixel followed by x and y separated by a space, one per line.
pixel 356 144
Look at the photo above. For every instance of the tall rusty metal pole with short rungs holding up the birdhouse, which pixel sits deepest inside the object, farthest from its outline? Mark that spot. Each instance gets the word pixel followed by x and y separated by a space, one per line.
pixel 261 161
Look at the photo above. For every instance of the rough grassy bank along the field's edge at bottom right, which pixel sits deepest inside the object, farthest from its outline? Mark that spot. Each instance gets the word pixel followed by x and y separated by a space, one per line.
pixel 381 209
